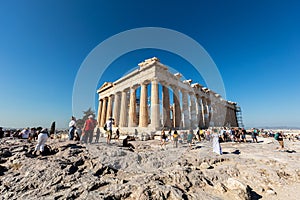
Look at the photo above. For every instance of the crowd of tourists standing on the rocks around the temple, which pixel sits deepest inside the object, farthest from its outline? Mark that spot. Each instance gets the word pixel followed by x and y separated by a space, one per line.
pixel 91 130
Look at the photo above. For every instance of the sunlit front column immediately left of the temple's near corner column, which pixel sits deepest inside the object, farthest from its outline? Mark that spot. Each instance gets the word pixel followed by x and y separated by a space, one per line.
pixel 143 118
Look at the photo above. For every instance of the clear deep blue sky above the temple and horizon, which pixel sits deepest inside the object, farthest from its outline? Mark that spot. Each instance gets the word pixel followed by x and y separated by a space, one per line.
pixel 255 45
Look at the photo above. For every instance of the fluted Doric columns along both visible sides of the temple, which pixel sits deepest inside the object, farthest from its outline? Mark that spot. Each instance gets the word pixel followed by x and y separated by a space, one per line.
pixel 190 112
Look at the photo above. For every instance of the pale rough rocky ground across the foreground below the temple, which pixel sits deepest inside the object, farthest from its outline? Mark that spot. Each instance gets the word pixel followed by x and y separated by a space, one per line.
pixel 101 171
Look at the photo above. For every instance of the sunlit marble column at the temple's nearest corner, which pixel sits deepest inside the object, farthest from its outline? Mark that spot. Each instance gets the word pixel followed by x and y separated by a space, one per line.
pixel 155 114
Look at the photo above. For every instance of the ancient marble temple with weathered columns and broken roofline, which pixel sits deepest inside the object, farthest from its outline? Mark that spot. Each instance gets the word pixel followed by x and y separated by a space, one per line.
pixel 151 98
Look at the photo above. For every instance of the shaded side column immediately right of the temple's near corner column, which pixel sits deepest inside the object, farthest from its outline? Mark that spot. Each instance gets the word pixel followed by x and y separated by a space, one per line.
pixel 166 106
